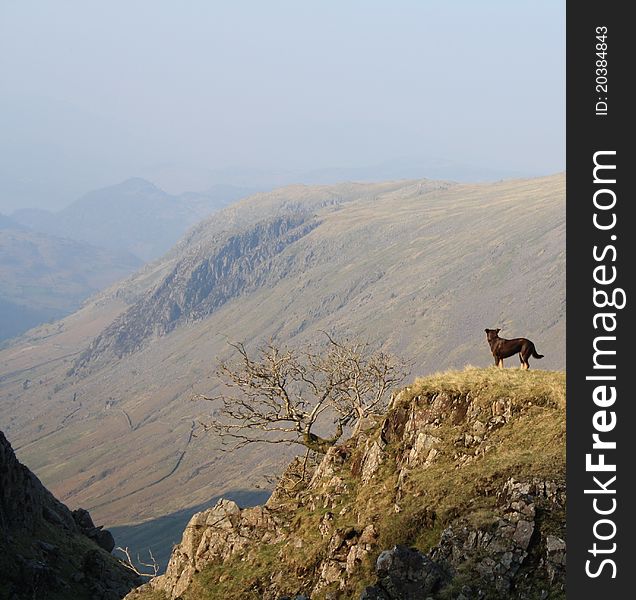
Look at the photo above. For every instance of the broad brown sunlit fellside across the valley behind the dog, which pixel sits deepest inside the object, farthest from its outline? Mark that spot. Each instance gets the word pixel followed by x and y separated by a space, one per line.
pixel 99 403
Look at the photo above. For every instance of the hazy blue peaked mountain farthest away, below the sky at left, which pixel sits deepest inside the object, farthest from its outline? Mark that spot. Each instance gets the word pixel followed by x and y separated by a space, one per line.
pixel 134 216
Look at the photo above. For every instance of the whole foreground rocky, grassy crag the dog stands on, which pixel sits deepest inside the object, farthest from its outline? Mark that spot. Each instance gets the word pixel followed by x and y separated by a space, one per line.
pixel 457 492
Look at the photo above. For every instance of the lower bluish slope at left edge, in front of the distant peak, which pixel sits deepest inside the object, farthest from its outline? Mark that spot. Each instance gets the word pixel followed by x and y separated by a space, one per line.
pixel 43 277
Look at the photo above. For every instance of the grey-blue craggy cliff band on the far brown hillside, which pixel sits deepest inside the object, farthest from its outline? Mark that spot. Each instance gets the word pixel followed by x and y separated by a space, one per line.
pixel 199 284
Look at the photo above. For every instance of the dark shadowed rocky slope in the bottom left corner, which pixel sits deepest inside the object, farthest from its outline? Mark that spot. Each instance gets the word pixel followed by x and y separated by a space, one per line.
pixel 47 551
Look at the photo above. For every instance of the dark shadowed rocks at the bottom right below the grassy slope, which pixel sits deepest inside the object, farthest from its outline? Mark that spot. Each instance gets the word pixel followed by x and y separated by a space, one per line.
pixel 504 558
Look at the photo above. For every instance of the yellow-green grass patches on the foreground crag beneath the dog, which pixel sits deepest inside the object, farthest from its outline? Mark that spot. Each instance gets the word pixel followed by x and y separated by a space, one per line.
pixel 531 444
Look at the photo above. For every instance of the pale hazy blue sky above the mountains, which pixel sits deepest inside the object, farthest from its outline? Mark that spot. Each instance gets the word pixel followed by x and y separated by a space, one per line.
pixel 94 92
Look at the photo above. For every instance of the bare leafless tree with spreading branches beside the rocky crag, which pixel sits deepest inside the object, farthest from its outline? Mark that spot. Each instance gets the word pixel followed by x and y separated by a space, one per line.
pixel 283 396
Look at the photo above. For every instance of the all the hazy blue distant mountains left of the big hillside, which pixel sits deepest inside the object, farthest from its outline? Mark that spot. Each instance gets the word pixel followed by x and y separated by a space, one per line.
pixel 114 229
